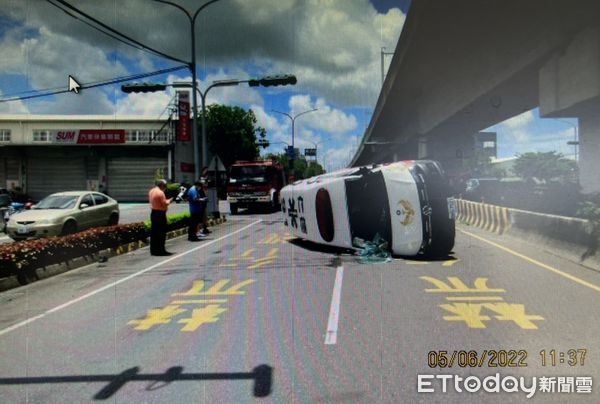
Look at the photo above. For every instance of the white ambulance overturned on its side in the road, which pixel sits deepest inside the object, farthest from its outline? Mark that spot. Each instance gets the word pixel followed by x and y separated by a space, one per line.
pixel 407 203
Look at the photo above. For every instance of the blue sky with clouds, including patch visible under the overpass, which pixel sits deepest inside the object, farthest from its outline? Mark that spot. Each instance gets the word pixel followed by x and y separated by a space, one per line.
pixel 332 46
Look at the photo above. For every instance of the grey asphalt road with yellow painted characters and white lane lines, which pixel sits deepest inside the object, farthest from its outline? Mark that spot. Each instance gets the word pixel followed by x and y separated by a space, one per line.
pixel 209 323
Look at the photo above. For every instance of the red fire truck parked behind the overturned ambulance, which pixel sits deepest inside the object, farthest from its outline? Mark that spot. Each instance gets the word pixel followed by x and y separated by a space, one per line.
pixel 255 184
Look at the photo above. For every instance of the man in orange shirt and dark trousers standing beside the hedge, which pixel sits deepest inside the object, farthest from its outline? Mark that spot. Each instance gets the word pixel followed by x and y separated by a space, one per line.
pixel 158 217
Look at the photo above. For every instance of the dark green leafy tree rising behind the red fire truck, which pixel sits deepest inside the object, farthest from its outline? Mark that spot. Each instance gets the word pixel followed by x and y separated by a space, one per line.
pixel 231 133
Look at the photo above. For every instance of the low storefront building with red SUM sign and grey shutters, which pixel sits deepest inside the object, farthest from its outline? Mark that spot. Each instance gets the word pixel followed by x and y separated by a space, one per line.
pixel 120 156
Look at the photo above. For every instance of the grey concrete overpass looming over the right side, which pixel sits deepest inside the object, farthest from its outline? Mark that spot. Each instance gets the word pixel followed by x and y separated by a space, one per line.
pixel 462 66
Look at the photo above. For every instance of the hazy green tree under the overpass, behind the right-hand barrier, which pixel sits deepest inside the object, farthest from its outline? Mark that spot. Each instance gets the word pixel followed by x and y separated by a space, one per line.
pixel 545 166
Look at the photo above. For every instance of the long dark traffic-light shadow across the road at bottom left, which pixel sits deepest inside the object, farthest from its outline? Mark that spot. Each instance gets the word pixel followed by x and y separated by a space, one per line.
pixel 262 376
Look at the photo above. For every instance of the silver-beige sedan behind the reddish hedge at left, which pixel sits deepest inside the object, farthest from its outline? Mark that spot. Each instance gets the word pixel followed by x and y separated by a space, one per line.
pixel 64 213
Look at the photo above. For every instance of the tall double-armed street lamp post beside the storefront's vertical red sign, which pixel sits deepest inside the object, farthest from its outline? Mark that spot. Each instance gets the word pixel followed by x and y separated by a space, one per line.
pixel 192 67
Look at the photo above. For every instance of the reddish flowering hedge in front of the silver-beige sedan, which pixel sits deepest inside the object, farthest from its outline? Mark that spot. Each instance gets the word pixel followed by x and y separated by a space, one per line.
pixel 25 256
